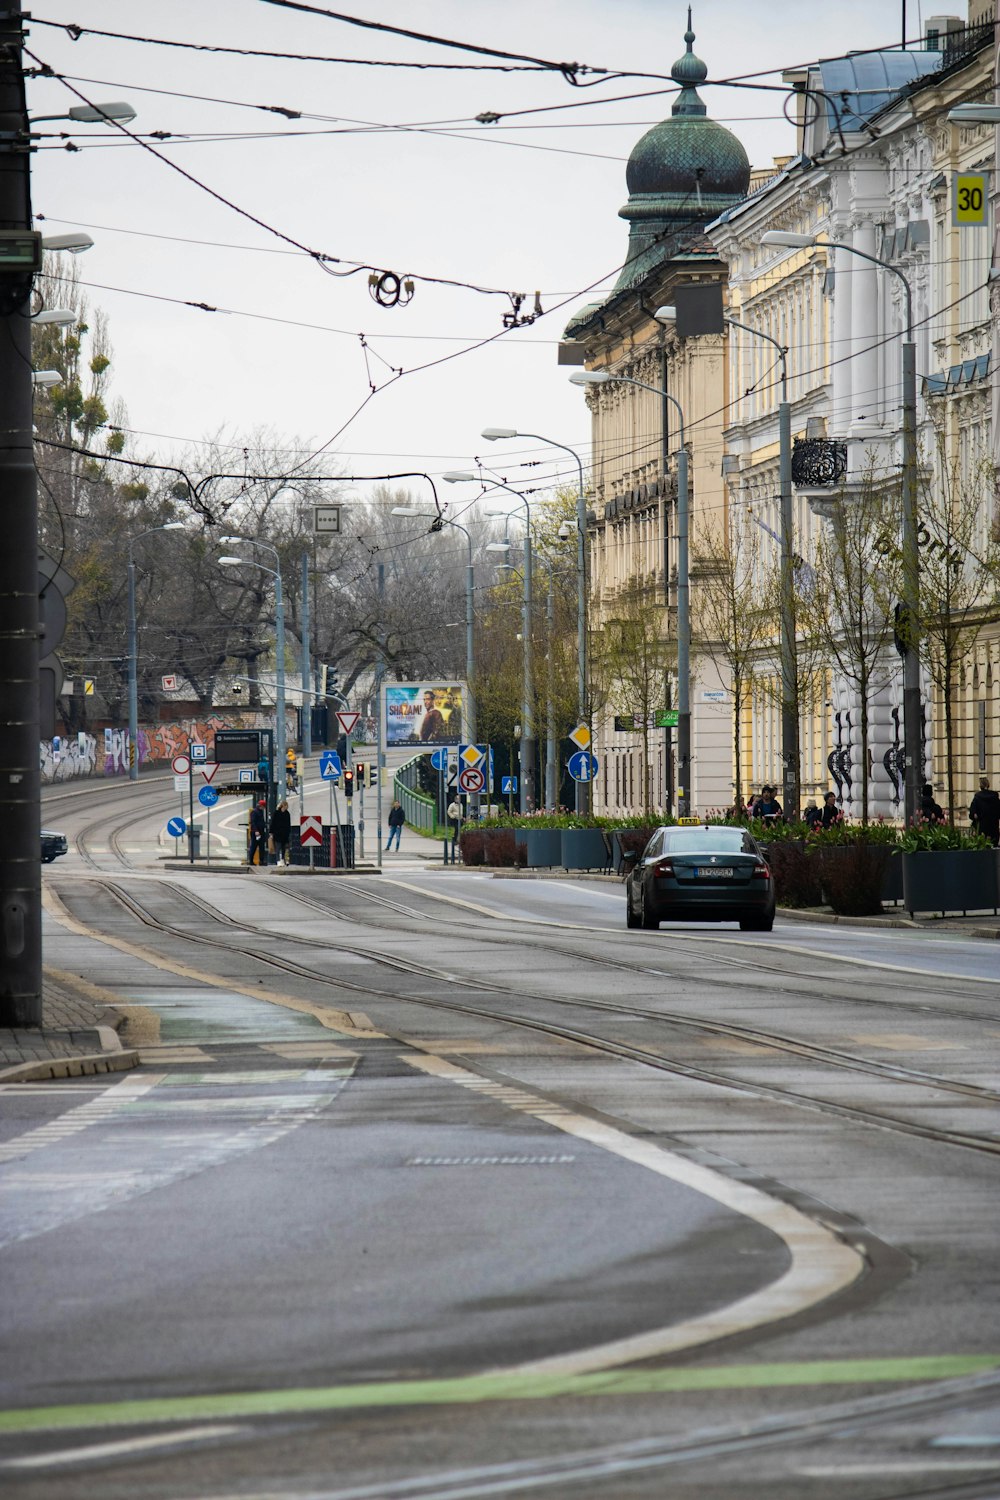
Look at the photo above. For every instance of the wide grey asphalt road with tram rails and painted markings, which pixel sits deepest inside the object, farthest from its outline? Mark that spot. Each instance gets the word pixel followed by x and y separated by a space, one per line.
pixel 434 1184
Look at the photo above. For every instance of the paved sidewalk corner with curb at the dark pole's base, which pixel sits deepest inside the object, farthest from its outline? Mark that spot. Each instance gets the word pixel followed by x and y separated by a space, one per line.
pixel 79 1036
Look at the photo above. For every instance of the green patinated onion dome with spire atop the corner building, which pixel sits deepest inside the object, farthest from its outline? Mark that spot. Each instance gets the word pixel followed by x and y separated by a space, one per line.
pixel 681 175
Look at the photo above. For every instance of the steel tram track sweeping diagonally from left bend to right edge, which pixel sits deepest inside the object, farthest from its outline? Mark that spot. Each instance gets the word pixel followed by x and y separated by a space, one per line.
pixel 839 1063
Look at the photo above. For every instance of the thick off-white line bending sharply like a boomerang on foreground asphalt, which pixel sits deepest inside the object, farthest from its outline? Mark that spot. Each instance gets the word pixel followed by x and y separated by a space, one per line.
pixel 822 1265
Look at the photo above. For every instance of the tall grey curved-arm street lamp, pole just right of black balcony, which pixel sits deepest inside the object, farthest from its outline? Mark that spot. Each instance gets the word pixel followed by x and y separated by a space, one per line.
pixel 912 749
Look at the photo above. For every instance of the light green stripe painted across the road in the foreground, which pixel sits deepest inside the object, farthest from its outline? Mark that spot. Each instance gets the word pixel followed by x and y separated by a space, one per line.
pixel 464 1391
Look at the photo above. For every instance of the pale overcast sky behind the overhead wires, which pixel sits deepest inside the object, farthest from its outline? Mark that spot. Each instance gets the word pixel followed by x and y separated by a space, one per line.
pixel 388 169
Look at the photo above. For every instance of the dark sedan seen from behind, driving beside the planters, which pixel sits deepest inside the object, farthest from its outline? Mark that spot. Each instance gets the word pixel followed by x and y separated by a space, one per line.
pixel 701 874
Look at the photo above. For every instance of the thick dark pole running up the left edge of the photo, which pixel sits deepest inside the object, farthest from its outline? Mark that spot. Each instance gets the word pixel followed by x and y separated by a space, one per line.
pixel 20 778
